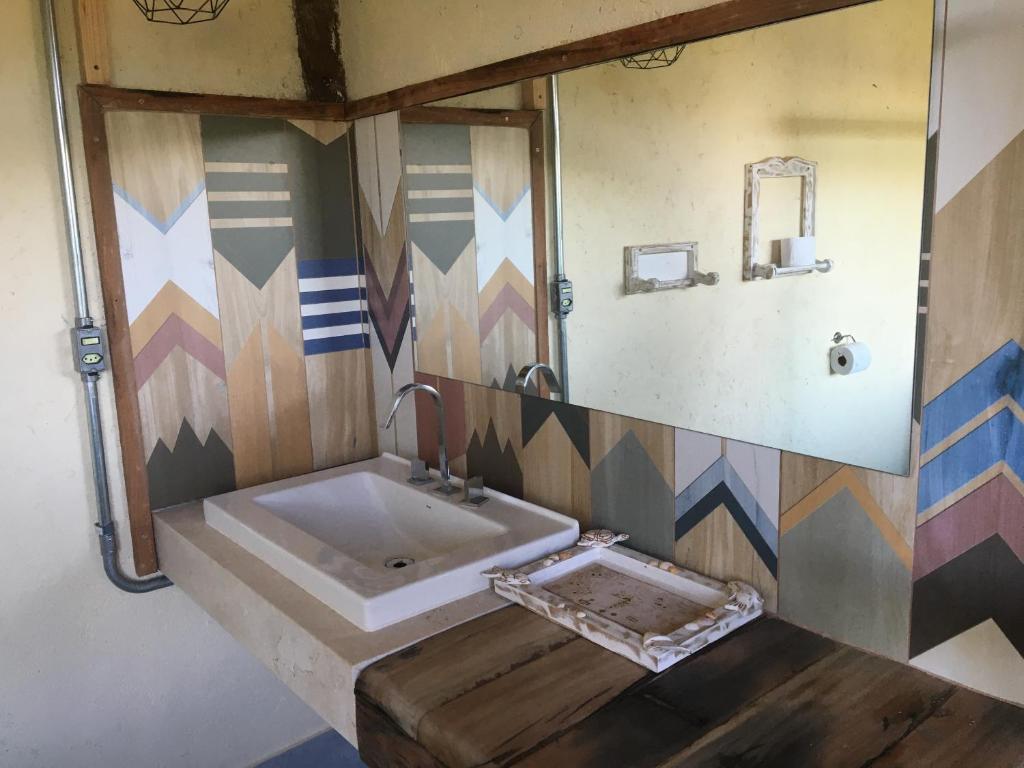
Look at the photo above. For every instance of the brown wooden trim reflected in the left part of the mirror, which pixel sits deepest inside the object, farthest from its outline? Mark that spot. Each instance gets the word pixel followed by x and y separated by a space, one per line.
pixel 533 122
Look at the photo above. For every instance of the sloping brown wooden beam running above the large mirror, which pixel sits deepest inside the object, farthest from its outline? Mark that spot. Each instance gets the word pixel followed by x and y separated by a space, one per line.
pixel 722 19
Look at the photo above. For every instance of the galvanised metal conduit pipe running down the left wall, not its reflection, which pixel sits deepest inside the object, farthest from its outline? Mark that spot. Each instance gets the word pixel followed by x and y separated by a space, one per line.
pixel 105 524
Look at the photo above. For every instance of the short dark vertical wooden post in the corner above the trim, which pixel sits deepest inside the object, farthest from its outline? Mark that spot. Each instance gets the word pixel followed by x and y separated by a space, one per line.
pixel 320 50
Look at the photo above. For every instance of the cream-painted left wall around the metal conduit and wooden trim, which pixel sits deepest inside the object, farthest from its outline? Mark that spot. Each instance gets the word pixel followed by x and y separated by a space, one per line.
pixel 91 676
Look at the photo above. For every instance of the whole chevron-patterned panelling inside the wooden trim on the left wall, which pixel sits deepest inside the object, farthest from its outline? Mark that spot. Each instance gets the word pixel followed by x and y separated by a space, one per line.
pixel 246 298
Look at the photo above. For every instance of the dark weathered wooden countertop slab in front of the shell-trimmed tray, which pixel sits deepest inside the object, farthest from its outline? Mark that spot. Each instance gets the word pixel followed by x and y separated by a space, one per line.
pixel 513 689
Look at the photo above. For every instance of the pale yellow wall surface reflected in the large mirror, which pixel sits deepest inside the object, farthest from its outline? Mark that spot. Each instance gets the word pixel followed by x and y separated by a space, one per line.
pixel 659 157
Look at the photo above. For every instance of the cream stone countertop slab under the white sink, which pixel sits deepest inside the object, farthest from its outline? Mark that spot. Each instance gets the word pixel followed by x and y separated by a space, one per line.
pixel 313 650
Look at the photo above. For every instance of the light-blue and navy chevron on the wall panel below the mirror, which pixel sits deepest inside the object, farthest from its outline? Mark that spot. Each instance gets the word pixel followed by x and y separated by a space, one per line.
pixel 721 485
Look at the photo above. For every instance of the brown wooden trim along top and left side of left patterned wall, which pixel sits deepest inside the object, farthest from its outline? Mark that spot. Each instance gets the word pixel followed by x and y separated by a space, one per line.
pixel 96 103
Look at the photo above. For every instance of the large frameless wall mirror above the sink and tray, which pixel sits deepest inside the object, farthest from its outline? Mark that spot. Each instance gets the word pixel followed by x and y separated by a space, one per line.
pixel 742 223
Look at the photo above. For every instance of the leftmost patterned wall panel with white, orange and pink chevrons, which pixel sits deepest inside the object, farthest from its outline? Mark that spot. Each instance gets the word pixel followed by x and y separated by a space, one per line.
pixel 160 202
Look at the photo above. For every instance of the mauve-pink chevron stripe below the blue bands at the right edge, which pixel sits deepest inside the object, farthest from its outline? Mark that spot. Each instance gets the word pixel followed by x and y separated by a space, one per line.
pixel 997 507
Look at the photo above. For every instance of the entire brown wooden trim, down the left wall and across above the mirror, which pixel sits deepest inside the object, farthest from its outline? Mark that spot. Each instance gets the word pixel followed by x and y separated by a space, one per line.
pixel 97 101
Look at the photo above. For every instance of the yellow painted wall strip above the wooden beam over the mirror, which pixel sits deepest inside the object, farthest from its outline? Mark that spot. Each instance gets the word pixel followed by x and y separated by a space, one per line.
pixel 391 45
